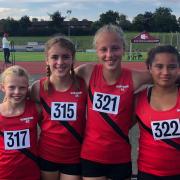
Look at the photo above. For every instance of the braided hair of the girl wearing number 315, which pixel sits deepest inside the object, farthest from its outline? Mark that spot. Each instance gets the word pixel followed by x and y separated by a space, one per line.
pixel 65 43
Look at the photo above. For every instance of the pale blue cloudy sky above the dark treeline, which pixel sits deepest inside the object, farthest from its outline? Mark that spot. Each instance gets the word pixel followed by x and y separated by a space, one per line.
pixel 82 9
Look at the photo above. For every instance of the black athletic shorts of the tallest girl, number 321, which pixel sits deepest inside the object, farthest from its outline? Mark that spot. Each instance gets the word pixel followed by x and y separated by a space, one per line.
pixel 113 171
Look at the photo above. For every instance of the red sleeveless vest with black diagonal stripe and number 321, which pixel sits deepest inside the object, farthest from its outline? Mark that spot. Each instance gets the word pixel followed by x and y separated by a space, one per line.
pixel 111 102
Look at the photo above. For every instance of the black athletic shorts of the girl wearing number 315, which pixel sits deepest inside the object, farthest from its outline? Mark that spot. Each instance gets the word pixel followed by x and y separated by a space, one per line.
pixel 70 169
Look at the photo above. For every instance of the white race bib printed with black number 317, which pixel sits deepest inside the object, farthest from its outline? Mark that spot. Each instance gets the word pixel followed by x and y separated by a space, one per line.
pixel 16 139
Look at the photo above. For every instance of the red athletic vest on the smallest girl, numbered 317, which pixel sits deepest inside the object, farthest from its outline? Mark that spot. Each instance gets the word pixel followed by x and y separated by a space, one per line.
pixel 13 163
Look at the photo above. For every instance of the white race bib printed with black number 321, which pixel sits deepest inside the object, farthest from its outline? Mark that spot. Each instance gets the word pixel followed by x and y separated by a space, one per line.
pixel 107 103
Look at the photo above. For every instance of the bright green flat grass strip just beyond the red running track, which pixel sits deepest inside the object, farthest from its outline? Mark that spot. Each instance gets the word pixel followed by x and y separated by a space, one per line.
pixel 80 56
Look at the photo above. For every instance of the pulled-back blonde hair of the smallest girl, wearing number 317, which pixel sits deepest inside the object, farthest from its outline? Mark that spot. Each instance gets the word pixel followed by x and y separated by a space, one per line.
pixel 14 70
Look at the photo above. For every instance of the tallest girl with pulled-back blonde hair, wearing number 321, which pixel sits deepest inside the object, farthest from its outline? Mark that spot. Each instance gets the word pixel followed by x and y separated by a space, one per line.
pixel 106 150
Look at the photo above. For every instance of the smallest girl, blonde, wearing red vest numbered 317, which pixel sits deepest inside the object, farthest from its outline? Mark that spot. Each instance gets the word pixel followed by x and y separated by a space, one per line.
pixel 18 128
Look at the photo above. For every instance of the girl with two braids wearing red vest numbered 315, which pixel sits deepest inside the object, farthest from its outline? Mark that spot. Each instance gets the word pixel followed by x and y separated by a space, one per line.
pixel 63 99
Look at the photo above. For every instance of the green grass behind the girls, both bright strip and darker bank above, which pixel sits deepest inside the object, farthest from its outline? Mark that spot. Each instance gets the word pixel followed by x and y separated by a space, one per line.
pixel 85 42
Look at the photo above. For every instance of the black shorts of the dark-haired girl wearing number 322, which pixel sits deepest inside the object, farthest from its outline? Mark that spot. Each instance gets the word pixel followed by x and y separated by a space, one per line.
pixel 146 176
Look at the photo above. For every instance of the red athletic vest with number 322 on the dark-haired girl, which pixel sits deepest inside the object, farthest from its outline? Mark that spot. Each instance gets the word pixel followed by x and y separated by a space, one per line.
pixel 158 157
